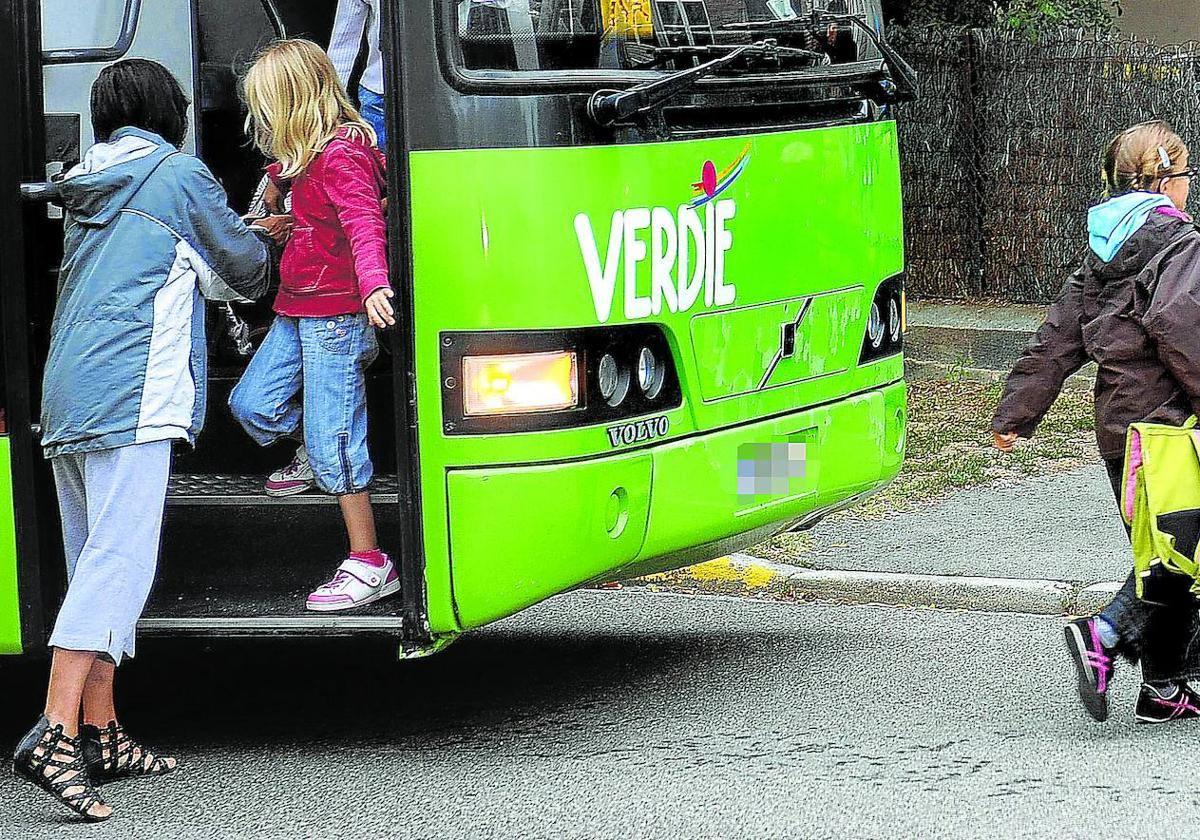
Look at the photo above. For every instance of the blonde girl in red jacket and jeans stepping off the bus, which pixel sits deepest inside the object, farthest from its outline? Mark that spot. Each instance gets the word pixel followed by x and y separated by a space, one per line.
pixel 334 290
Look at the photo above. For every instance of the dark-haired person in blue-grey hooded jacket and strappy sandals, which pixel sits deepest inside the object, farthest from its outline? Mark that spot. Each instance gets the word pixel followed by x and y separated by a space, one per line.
pixel 148 233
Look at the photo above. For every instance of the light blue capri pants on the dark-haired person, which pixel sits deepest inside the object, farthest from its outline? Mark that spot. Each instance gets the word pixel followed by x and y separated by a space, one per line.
pixel 112 503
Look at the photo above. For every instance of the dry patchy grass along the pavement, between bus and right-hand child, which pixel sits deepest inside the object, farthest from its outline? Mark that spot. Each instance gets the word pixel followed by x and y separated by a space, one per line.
pixel 950 448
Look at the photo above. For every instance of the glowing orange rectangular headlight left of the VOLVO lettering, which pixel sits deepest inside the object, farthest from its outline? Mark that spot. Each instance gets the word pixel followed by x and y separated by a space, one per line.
pixel 520 385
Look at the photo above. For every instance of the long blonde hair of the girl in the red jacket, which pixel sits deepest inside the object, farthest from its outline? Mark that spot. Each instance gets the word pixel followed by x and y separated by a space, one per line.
pixel 298 105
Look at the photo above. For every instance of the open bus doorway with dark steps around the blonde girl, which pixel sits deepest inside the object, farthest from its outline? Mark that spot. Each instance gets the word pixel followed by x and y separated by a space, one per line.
pixel 232 557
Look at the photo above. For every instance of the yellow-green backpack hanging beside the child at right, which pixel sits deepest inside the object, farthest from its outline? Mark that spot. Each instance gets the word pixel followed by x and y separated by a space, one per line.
pixel 1161 503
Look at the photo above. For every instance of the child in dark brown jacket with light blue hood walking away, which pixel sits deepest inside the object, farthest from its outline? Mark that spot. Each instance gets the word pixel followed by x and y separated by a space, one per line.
pixel 1132 308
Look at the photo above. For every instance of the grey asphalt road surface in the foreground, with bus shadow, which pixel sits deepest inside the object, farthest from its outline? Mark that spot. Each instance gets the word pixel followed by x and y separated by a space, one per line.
pixel 634 715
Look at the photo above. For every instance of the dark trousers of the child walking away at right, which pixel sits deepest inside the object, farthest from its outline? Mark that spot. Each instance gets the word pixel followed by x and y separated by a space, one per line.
pixel 1163 639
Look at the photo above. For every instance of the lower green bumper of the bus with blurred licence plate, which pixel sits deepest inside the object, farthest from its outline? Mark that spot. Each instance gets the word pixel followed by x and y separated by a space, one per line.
pixel 521 535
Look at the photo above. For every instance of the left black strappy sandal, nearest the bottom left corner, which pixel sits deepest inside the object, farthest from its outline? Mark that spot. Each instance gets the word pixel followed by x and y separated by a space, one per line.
pixel 59 769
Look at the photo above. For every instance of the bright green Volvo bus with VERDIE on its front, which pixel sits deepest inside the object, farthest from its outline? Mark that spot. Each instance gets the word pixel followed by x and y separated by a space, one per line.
pixel 650 265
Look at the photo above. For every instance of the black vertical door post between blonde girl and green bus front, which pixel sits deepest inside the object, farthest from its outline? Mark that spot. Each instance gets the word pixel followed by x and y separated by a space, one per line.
pixel 400 255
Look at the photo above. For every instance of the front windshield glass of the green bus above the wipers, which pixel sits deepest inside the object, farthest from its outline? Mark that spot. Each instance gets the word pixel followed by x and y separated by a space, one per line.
pixel 646 35
